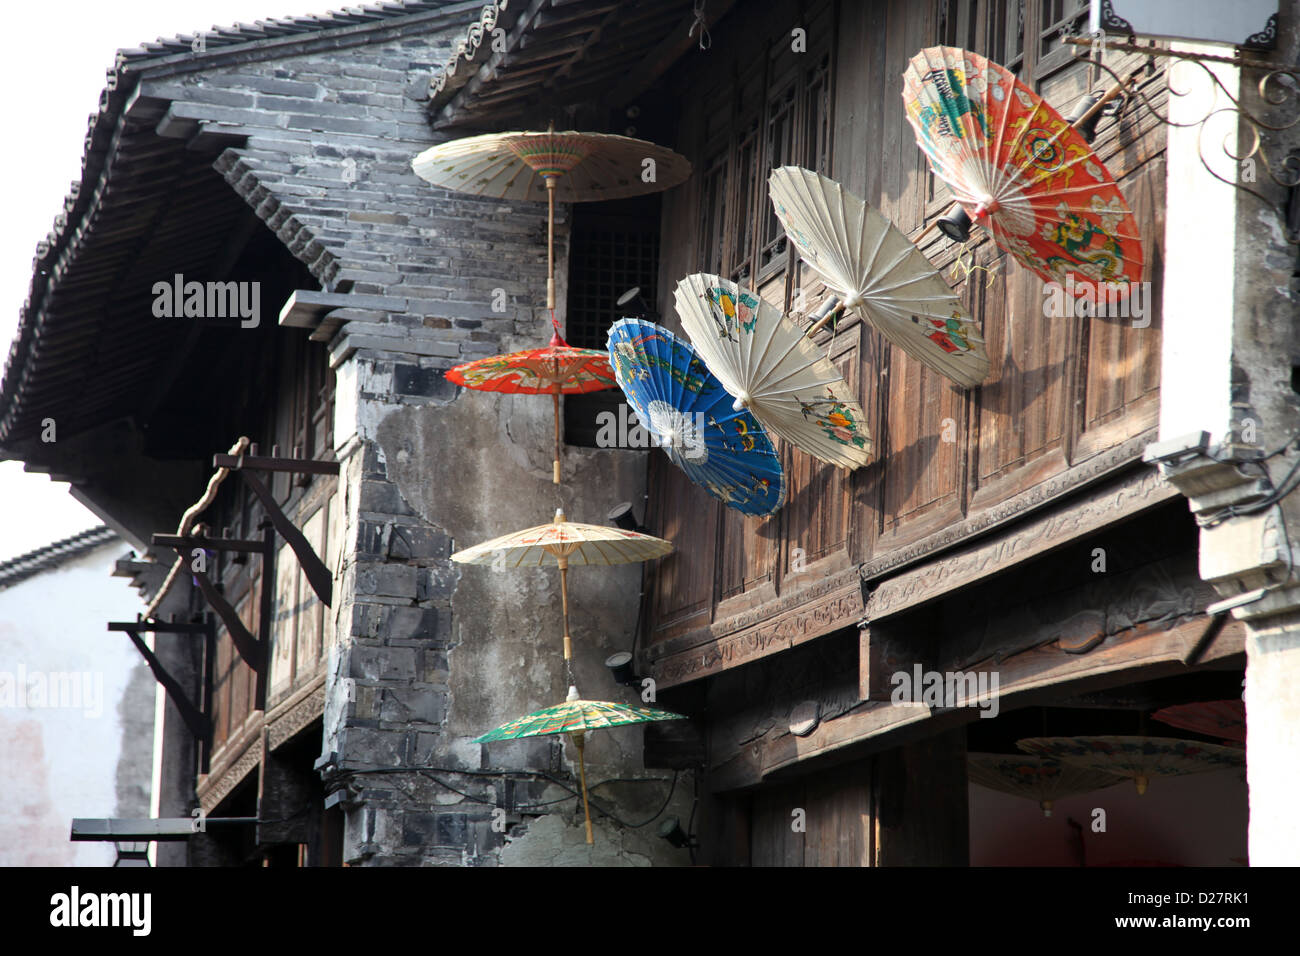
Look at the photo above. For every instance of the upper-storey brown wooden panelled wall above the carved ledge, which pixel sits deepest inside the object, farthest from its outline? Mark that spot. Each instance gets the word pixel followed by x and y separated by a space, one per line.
pixel 1061 388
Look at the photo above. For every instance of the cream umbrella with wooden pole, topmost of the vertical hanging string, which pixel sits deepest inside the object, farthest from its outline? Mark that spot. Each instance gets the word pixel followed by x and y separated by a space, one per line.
pixel 571 167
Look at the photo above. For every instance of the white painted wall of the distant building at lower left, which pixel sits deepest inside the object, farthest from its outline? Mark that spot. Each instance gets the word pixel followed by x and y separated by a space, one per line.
pixel 58 763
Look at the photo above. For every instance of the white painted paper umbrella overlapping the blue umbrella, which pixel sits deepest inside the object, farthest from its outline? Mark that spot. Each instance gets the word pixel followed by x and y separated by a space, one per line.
pixel 772 369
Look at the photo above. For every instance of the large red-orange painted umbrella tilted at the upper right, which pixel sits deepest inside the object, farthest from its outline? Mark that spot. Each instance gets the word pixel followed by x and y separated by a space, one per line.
pixel 1022 171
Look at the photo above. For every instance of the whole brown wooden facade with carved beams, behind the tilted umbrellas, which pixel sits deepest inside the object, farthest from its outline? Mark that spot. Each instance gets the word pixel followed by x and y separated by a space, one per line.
pixel 976 537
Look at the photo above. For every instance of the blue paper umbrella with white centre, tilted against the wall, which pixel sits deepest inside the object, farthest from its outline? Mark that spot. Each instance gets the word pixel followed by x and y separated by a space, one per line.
pixel 692 419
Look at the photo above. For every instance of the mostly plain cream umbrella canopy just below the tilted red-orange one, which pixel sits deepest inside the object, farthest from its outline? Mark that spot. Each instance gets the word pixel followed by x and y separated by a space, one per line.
pixel 877 271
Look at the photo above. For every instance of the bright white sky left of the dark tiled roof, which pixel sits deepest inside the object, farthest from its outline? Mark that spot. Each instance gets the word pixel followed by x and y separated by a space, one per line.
pixel 53 68
